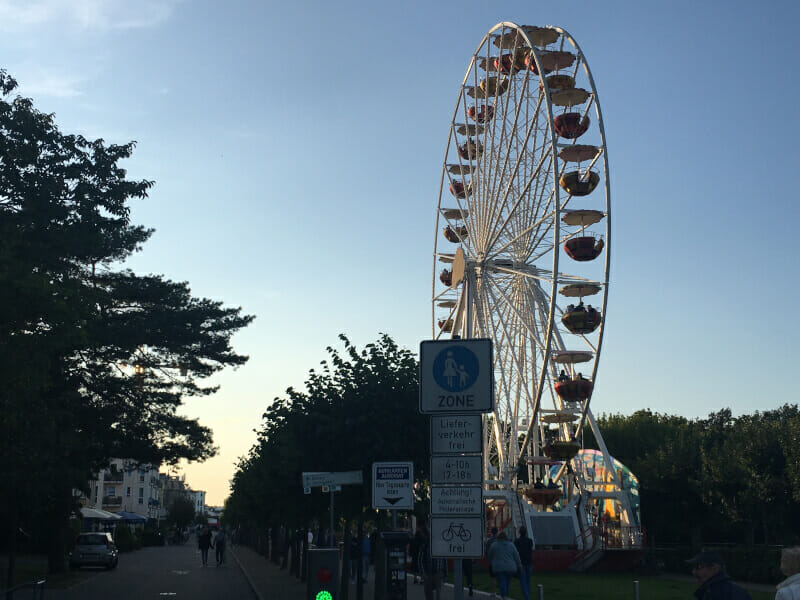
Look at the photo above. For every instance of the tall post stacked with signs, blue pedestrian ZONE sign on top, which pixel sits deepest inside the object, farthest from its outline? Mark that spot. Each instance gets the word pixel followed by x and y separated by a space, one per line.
pixel 456 389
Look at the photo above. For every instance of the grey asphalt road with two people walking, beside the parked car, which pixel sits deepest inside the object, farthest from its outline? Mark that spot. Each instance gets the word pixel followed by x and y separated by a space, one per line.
pixel 161 573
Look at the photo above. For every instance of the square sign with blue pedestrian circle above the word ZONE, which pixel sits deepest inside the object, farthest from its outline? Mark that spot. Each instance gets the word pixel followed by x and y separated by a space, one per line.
pixel 456 376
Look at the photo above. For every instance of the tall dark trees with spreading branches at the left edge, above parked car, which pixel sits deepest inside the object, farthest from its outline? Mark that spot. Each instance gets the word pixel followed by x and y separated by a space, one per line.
pixel 95 360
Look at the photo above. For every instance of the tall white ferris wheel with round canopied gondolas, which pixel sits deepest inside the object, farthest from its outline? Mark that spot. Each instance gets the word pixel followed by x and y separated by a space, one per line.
pixel 521 251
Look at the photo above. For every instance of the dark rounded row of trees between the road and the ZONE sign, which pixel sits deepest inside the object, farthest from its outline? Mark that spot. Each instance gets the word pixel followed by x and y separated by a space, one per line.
pixel 359 408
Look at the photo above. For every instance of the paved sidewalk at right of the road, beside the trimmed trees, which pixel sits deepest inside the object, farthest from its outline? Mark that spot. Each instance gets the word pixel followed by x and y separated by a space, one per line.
pixel 269 582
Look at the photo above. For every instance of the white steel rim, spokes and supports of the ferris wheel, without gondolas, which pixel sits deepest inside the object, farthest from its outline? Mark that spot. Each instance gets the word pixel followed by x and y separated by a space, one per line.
pixel 474 302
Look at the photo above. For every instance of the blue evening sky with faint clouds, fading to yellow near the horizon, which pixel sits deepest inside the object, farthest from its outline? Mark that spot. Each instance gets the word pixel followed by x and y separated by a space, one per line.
pixel 297 149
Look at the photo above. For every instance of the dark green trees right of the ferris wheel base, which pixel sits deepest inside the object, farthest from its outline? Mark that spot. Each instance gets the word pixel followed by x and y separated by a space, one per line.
pixel 717 479
